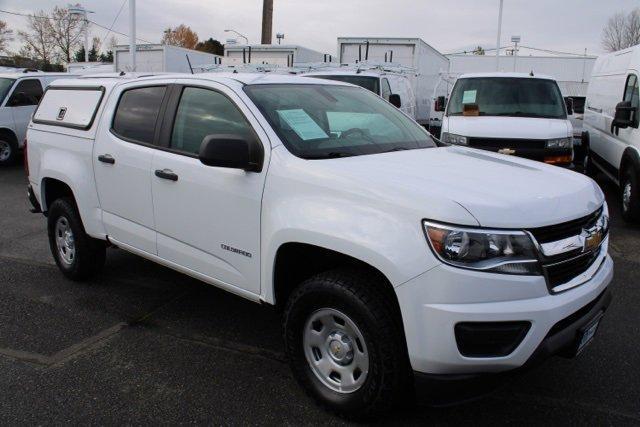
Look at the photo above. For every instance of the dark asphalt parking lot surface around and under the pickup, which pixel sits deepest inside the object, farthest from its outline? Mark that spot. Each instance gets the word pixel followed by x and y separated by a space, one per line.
pixel 143 344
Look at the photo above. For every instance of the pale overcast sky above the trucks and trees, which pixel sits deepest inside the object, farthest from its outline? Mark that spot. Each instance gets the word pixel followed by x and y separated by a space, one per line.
pixel 448 25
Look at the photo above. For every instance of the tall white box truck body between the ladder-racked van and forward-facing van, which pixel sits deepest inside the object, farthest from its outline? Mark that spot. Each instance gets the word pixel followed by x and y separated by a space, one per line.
pixel 430 66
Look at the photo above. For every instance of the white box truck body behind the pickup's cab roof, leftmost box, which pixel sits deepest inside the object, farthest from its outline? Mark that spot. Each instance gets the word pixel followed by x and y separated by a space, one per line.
pixel 158 58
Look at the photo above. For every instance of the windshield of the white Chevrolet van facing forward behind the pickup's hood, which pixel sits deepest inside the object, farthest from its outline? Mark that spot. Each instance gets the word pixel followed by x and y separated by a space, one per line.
pixel 507 96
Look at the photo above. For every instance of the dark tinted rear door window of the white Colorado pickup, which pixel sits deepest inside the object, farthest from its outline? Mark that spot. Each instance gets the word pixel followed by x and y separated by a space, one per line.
pixel 137 113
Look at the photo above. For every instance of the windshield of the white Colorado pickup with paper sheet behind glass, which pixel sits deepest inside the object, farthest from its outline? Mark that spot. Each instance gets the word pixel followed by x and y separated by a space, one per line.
pixel 327 121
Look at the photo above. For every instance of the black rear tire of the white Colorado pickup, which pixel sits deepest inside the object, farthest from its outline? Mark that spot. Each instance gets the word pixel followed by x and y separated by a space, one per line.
pixel 89 253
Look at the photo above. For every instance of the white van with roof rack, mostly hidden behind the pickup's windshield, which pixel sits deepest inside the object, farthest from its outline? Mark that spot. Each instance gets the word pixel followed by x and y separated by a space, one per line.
pixel 395 87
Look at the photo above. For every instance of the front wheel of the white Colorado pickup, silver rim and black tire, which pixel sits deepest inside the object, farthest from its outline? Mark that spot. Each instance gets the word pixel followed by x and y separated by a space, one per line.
pixel 345 344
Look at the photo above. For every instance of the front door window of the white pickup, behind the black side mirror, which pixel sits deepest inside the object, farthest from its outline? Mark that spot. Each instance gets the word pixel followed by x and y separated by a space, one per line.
pixel 203 112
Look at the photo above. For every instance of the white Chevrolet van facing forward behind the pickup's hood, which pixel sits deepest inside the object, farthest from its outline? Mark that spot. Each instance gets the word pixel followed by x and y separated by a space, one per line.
pixel 510 113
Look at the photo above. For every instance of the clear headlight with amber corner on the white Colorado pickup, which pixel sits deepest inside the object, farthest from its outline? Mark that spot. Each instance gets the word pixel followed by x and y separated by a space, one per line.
pixel 511 252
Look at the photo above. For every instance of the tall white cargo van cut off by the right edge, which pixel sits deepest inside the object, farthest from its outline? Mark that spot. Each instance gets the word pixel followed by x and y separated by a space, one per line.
pixel 611 119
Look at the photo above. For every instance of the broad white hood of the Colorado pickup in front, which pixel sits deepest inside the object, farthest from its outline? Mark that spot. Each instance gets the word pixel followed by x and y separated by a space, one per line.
pixel 498 191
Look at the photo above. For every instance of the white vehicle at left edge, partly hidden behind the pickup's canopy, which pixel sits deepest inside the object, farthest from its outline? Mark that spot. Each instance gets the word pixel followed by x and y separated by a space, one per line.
pixel 19 95
